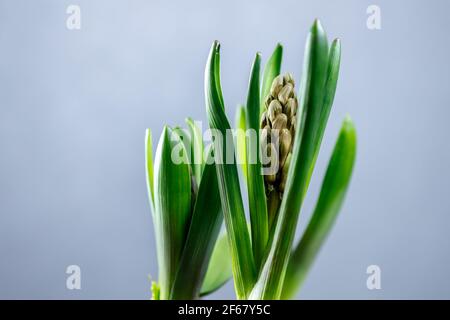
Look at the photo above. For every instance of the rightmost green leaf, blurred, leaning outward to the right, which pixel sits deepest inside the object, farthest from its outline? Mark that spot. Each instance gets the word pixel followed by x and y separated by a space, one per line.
pixel 332 194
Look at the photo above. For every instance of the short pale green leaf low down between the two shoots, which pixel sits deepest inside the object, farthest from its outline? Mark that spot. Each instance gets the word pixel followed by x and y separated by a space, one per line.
pixel 219 269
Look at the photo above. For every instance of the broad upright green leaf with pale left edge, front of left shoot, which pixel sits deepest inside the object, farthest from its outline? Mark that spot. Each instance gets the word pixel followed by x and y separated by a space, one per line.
pixel 172 187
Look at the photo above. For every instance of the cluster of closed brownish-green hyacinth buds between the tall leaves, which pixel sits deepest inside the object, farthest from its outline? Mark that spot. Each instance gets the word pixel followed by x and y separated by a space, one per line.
pixel 278 125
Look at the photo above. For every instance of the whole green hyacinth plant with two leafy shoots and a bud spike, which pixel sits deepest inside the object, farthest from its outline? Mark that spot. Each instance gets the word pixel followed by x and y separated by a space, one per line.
pixel 190 198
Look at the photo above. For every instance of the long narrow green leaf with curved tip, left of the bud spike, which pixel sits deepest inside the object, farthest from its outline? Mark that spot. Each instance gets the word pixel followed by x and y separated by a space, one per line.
pixel 233 209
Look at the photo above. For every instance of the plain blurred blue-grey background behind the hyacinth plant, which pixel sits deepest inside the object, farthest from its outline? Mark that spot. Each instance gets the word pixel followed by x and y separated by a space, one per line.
pixel 74 106
